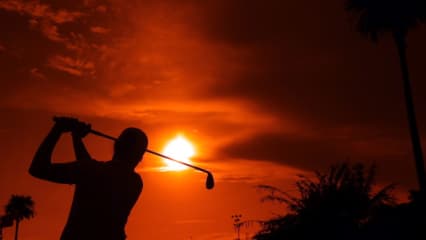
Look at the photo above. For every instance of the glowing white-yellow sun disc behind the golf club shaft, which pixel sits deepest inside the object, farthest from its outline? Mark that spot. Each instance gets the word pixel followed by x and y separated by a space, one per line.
pixel 180 149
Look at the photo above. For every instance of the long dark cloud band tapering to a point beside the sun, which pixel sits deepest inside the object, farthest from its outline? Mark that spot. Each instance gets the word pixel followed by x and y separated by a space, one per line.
pixel 316 153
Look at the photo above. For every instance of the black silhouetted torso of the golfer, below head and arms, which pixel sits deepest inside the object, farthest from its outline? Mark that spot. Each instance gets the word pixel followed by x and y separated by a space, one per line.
pixel 102 202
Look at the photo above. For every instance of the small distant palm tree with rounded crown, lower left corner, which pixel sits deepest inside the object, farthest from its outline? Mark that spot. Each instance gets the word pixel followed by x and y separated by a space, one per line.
pixel 20 208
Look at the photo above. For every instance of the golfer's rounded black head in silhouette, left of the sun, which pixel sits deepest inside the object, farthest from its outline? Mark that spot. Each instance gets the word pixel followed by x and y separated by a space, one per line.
pixel 130 146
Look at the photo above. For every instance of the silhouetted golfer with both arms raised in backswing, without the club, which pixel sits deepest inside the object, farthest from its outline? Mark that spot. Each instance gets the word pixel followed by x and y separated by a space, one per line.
pixel 105 192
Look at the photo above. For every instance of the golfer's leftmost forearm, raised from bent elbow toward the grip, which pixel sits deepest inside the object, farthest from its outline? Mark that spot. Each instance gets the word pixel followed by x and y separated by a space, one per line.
pixel 42 161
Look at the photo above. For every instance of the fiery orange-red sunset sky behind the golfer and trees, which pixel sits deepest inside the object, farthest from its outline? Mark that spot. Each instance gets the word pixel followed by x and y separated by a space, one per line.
pixel 264 90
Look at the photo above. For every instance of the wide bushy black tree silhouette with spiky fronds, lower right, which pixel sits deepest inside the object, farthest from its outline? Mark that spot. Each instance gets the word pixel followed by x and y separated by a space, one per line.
pixel 333 206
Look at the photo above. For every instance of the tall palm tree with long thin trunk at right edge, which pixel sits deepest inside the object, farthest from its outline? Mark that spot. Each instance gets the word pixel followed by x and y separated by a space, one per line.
pixel 396 17
